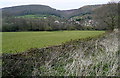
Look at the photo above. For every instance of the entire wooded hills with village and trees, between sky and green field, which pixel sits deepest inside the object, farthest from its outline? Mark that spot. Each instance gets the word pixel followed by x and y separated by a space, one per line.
pixel 45 18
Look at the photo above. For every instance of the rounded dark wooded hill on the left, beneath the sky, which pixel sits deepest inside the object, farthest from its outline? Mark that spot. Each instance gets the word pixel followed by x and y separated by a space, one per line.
pixel 29 10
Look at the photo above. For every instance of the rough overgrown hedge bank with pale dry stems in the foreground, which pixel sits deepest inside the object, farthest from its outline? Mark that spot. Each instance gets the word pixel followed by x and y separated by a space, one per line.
pixel 89 57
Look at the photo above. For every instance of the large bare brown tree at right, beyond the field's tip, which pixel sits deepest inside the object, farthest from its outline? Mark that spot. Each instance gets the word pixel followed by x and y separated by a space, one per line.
pixel 107 15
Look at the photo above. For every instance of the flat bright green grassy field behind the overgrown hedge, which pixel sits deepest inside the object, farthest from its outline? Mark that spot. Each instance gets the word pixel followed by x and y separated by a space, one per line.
pixel 13 42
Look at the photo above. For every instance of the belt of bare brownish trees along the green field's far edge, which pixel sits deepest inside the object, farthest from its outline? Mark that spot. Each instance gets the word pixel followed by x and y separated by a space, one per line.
pixel 37 24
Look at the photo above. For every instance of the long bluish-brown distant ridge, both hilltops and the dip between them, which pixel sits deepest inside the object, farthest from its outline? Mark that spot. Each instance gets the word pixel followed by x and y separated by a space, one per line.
pixel 42 9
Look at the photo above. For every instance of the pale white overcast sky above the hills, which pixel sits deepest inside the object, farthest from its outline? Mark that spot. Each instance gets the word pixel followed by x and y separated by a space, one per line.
pixel 57 4
